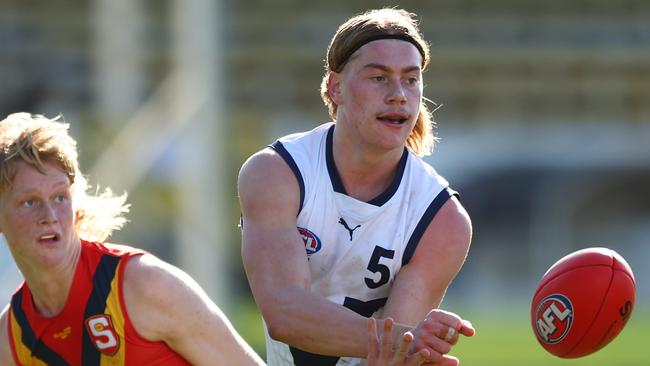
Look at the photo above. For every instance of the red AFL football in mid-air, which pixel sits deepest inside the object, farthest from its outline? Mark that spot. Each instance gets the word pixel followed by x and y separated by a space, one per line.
pixel 583 302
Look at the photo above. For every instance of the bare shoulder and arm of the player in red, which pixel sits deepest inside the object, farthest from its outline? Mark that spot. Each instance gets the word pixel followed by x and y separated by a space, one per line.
pixel 166 304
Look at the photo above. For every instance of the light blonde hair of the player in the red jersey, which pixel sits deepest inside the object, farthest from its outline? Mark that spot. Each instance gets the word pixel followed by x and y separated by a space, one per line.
pixel 35 140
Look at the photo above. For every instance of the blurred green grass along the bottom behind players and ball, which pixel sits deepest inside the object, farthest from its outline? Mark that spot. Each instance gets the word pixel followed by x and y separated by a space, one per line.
pixel 505 339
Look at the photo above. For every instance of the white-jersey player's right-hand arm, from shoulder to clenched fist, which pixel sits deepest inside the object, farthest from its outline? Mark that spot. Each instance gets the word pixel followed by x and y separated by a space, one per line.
pixel 421 284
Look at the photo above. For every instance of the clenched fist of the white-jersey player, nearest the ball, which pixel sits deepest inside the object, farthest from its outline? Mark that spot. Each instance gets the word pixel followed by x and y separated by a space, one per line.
pixel 437 333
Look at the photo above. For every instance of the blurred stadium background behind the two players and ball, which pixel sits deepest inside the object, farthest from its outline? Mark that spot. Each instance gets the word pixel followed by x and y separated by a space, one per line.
pixel 545 131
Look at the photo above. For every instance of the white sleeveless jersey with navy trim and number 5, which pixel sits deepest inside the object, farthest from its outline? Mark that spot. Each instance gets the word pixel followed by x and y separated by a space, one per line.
pixel 355 248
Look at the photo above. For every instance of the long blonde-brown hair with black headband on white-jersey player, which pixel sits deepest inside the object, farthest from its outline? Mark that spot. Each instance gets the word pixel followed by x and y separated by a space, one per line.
pixel 373 25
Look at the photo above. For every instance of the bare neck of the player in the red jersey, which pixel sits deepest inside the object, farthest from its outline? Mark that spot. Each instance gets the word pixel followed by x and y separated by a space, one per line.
pixel 51 286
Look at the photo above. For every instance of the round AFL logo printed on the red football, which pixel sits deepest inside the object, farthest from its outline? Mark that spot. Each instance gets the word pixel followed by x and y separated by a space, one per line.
pixel 553 318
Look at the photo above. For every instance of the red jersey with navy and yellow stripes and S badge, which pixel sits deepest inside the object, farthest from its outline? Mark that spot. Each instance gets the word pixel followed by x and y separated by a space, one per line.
pixel 94 328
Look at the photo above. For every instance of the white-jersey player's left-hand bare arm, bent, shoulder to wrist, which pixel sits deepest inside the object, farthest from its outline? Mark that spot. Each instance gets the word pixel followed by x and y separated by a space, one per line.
pixel 276 265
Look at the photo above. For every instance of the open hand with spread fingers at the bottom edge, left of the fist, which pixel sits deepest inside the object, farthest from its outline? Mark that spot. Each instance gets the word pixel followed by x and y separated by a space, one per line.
pixel 381 352
